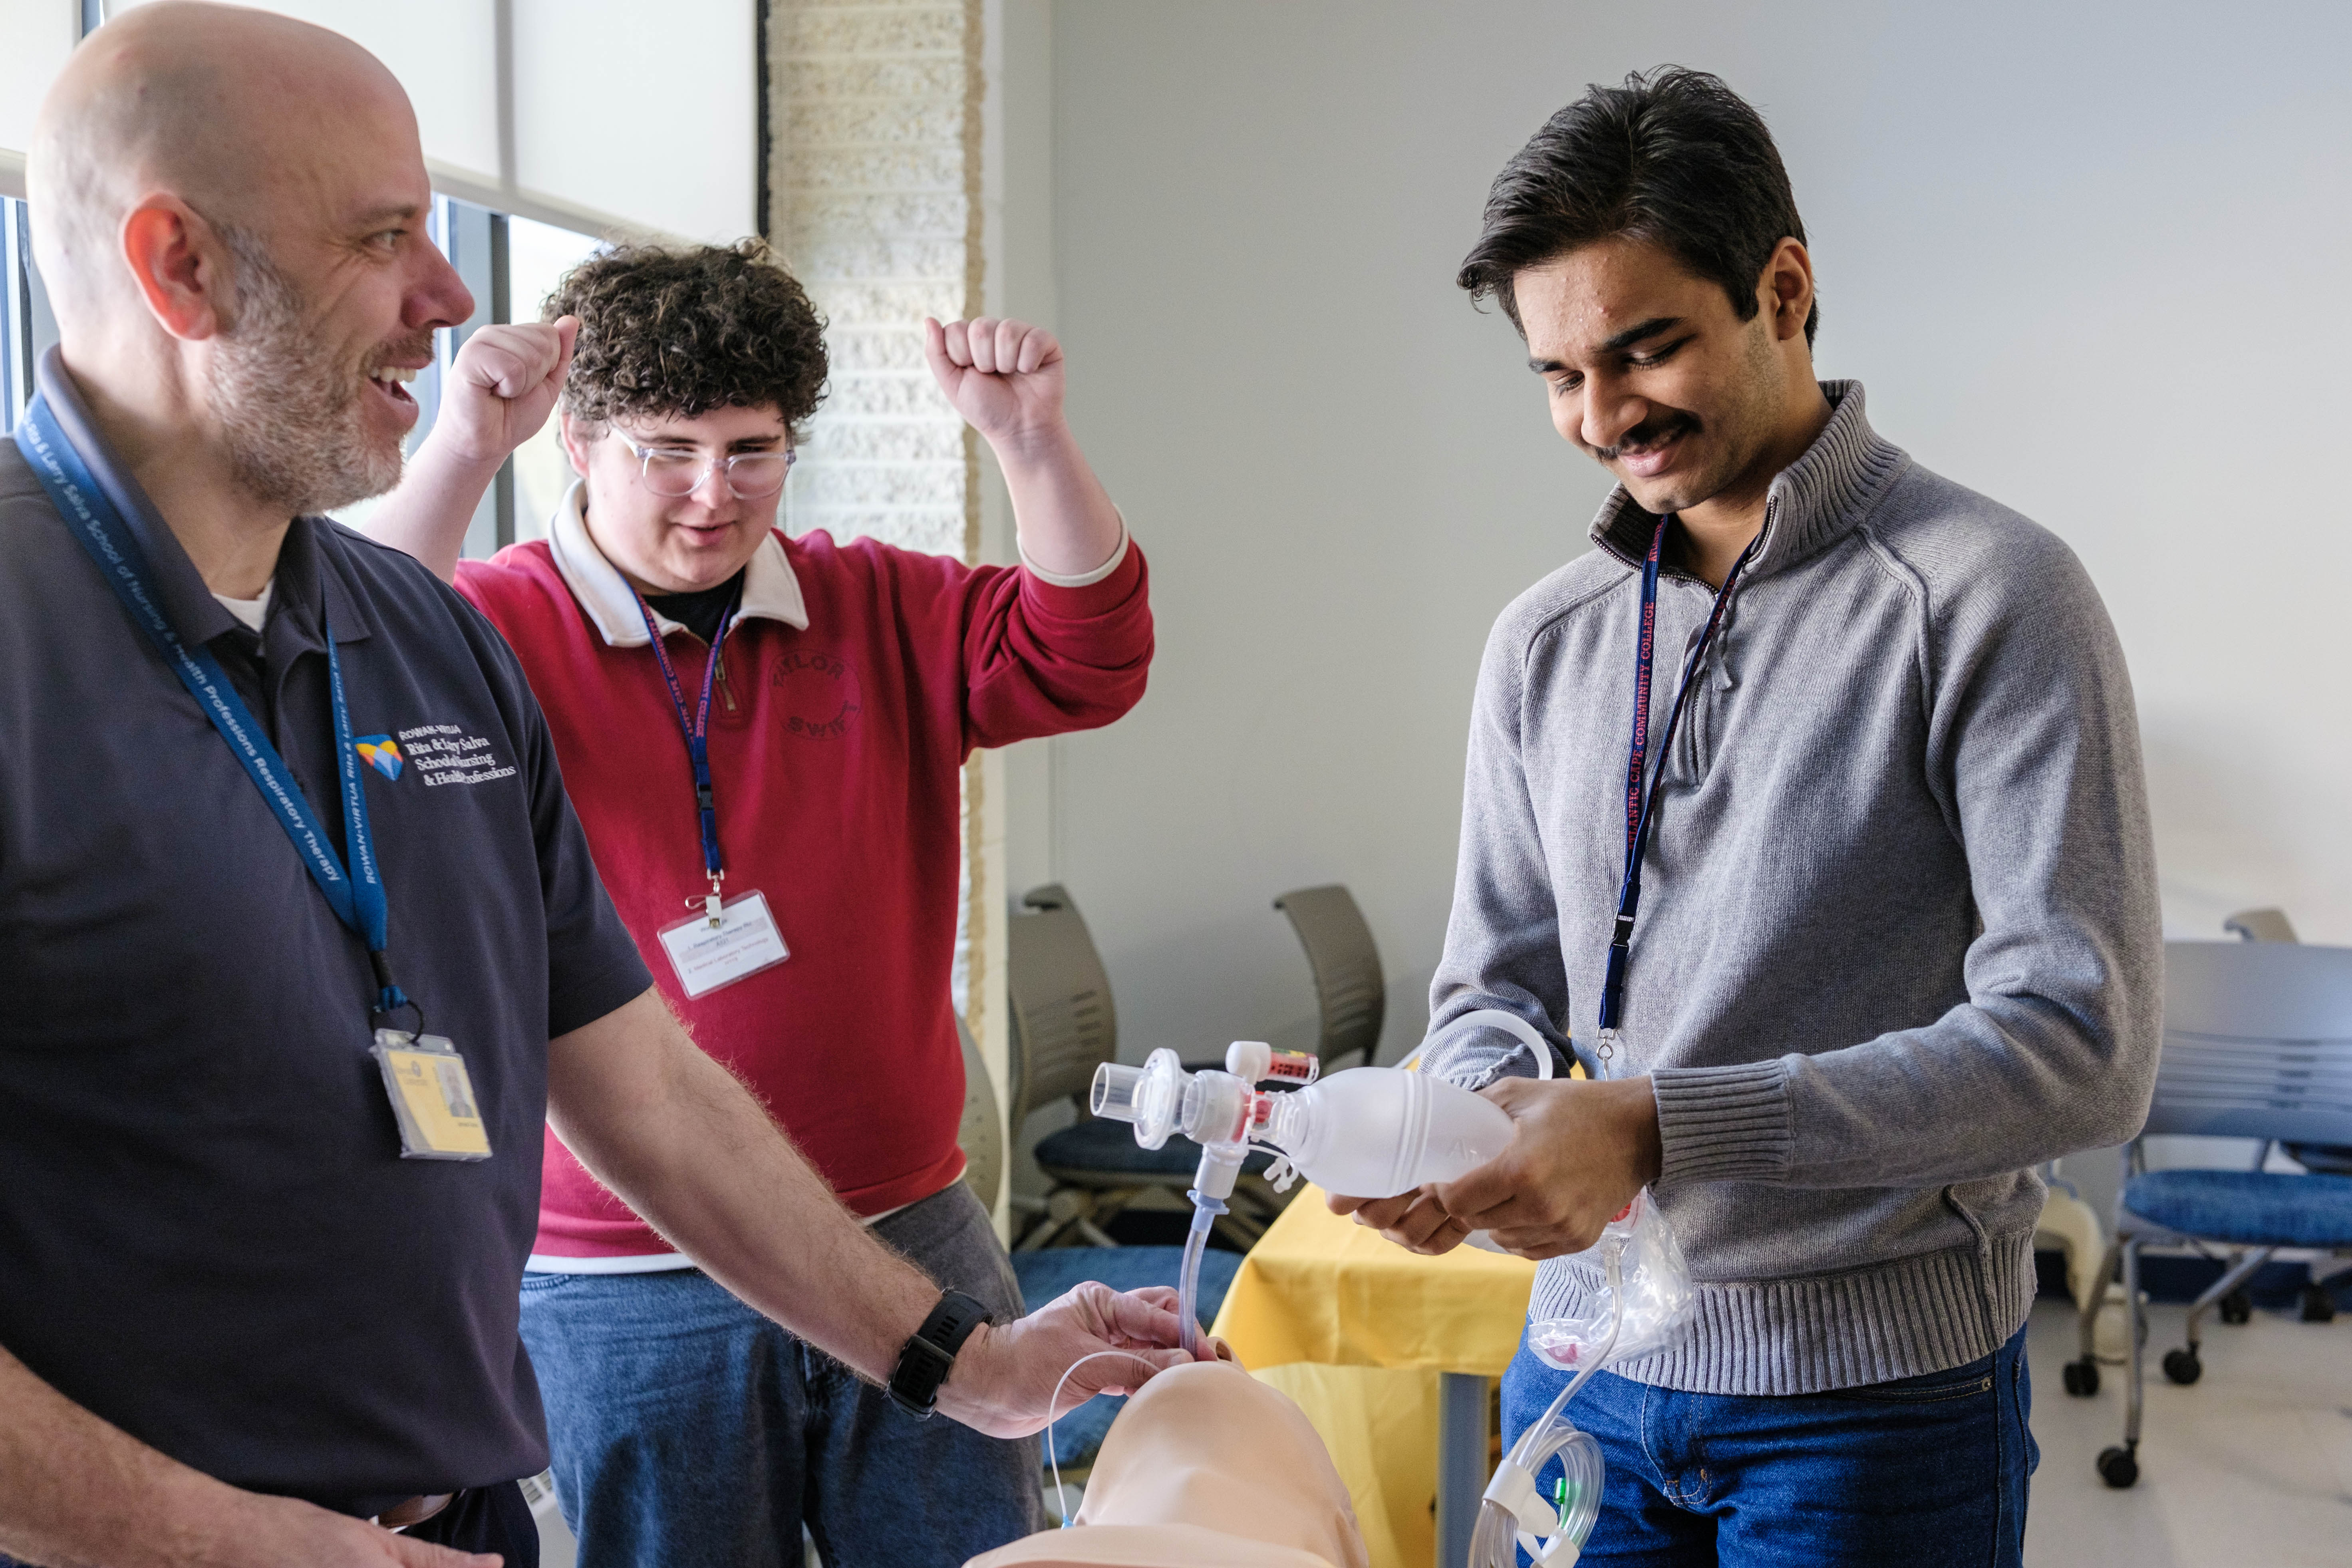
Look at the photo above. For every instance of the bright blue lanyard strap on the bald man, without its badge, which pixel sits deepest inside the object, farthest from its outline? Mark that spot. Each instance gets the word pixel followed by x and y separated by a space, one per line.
pixel 95 523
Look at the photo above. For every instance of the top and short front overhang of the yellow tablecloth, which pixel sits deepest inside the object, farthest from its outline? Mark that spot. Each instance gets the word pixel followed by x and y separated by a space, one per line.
pixel 1321 1287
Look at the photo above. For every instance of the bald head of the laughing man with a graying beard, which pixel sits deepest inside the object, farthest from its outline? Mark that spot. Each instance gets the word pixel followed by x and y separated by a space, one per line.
pixel 229 210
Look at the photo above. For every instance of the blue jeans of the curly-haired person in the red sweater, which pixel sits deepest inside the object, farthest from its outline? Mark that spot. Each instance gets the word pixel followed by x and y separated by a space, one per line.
pixel 693 1433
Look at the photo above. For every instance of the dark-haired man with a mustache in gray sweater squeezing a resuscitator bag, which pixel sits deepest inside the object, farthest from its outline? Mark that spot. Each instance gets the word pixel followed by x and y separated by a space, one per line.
pixel 1890 937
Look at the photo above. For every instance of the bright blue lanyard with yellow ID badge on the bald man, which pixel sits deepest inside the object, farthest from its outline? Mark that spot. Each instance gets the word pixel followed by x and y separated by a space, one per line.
pixel 422 1073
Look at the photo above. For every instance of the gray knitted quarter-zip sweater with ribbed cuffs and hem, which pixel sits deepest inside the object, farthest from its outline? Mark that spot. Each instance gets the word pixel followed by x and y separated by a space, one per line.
pixel 1899 913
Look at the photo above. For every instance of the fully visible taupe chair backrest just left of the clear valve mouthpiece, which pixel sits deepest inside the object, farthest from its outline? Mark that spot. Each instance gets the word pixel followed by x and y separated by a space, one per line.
pixel 1064 1024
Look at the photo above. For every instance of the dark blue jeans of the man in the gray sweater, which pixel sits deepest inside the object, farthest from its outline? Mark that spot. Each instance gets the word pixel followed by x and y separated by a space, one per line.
pixel 1916 1473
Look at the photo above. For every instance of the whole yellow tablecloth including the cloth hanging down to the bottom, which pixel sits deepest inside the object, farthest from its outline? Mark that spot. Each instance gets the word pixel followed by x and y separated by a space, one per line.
pixel 1356 1329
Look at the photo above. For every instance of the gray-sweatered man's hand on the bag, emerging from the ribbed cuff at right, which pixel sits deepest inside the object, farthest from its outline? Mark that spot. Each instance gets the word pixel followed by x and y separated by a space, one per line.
pixel 1577 1155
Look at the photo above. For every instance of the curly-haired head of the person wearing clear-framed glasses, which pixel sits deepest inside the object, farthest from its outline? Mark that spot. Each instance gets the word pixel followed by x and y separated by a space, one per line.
pixel 695 356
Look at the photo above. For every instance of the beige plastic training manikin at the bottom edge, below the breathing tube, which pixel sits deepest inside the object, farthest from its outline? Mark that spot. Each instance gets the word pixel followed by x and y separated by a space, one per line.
pixel 1205 1468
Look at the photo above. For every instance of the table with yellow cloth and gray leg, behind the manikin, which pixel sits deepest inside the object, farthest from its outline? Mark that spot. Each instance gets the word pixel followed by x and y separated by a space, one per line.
pixel 1323 1289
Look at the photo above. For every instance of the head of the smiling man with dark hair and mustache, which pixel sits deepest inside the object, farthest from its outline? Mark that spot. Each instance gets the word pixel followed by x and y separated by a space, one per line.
pixel 1650 250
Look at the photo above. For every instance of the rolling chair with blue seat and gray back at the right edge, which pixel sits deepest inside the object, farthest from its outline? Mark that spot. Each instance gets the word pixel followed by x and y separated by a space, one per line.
pixel 2257 1045
